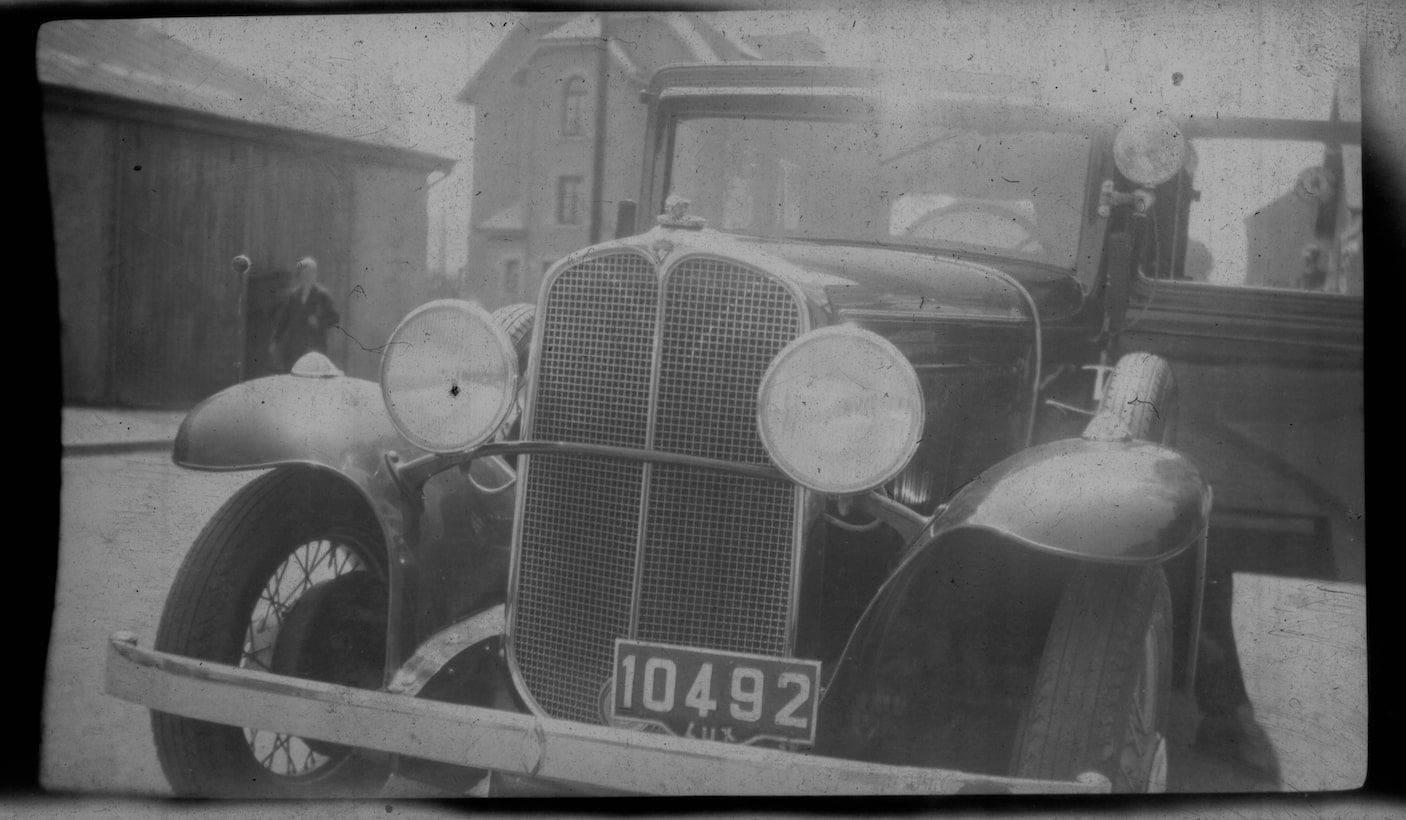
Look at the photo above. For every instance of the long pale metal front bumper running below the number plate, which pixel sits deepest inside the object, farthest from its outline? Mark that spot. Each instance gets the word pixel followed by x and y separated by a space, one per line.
pixel 522 745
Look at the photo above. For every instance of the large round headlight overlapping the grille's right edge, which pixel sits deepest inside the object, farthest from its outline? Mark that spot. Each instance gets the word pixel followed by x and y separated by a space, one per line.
pixel 840 410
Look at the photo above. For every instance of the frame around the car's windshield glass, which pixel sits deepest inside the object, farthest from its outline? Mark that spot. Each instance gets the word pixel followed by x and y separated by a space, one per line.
pixel 669 110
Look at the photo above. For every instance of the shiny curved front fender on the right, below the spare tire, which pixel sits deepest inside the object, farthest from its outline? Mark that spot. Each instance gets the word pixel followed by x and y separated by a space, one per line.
pixel 1117 503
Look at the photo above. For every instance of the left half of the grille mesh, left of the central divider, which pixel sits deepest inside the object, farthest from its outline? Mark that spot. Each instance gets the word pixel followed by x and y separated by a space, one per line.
pixel 580 520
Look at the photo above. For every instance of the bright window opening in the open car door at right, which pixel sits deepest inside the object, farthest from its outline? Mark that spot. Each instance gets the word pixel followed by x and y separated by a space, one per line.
pixel 1273 214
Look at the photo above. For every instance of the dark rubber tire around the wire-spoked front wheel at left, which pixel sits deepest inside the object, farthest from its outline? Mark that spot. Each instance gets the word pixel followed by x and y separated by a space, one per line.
pixel 209 610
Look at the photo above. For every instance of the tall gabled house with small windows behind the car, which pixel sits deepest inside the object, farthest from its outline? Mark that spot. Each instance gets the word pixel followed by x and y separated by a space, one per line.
pixel 557 129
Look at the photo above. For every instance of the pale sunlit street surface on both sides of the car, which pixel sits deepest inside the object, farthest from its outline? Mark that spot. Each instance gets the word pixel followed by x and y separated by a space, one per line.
pixel 127 521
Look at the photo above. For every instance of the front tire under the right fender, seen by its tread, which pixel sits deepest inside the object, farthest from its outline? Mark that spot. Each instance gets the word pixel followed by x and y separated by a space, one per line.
pixel 1082 717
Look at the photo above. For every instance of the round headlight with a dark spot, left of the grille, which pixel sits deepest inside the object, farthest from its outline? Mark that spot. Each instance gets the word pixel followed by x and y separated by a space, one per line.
pixel 449 376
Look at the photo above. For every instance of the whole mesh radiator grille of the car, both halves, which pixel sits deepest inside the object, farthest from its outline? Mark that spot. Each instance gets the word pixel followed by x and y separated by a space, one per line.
pixel 715 551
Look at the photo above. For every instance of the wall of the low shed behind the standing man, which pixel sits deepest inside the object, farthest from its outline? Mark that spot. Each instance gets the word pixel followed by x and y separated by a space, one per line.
pixel 151 206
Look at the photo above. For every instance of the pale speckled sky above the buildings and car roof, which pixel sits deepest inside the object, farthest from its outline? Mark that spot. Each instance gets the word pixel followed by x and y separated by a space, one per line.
pixel 1199 57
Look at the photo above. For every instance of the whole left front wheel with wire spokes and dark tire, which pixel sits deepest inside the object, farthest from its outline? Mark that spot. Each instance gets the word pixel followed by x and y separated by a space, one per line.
pixel 289 579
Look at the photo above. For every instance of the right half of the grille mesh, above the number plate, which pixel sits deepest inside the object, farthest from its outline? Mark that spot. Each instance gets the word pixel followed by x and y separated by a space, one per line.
pixel 718 556
